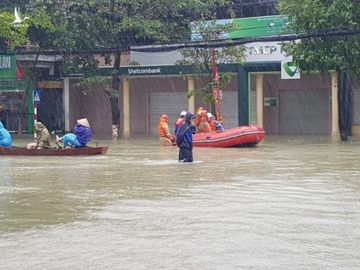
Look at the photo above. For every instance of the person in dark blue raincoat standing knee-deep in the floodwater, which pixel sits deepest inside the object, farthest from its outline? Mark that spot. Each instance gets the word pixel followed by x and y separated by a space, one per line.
pixel 184 139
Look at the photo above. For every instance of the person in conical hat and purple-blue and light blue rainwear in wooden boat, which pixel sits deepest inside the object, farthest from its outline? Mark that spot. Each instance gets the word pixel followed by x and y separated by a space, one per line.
pixel 80 137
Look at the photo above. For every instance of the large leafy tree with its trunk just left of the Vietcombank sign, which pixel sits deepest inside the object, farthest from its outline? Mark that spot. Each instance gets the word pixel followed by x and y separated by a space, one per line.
pixel 88 24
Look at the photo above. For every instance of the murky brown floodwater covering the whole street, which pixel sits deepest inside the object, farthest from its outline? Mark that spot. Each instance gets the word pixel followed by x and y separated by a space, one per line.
pixel 289 203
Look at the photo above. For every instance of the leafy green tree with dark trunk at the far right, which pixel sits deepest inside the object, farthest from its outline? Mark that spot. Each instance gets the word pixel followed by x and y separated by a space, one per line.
pixel 323 52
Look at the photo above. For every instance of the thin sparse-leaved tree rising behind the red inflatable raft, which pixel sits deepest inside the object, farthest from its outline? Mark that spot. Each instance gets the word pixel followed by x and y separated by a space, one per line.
pixel 202 58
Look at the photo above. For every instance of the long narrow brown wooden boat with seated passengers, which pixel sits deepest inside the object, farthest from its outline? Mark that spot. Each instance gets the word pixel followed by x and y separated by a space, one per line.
pixel 23 151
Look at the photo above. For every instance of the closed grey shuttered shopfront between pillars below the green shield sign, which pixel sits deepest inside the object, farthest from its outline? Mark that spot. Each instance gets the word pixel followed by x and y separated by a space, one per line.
pixel 301 106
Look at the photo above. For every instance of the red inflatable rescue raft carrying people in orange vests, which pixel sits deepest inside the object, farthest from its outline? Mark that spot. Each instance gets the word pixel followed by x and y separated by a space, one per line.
pixel 239 136
